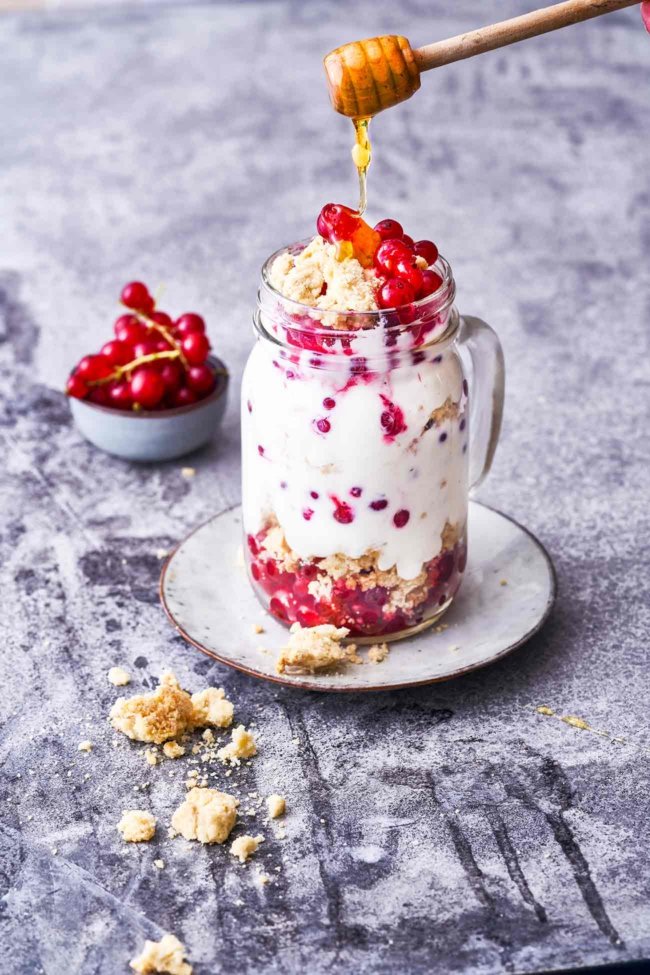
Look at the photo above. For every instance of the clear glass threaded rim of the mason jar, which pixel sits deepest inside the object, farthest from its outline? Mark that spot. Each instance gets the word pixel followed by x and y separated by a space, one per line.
pixel 387 318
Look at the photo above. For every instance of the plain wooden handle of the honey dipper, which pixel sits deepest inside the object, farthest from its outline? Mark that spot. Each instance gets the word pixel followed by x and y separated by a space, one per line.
pixel 516 29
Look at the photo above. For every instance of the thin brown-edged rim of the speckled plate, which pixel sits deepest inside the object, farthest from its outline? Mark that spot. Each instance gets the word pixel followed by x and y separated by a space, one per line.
pixel 310 685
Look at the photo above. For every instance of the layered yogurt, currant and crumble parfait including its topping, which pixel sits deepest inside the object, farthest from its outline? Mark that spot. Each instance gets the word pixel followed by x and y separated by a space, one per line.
pixel 355 426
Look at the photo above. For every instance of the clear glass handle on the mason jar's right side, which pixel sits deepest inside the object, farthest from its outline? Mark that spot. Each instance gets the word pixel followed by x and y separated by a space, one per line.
pixel 487 388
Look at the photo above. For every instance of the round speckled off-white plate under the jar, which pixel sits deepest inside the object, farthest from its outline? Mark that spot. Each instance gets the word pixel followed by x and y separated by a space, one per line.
pixel 507 593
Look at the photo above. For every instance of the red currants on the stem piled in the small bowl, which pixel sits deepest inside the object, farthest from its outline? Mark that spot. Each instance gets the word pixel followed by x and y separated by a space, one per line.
pixel 153 363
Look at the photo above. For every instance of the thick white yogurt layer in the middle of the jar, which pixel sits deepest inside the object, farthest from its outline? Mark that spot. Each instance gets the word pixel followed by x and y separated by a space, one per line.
pixel 297 471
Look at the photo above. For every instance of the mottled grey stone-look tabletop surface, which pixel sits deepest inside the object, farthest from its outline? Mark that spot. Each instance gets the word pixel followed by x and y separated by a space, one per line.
pixel 448 829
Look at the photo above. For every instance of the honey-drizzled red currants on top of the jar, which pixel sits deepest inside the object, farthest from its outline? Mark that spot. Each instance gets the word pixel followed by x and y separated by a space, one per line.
pixel 391 252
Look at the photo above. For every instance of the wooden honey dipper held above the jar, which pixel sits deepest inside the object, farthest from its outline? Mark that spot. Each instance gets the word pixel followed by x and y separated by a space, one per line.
pixel 365 77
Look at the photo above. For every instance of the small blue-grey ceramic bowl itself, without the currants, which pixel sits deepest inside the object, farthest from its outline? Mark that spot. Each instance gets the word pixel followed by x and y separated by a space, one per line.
pixel 152 435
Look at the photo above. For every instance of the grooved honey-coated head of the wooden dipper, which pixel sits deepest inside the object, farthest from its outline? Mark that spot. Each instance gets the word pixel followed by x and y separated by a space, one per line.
pixel 365 77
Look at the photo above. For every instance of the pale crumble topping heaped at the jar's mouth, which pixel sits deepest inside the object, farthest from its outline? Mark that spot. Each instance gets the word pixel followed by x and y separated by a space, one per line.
pixel 318 278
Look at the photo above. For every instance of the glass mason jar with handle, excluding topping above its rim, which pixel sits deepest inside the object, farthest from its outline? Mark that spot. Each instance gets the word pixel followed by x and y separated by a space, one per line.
pixel 358 460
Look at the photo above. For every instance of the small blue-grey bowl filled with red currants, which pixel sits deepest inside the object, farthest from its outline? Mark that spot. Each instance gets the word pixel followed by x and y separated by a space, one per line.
pixel 154 391
